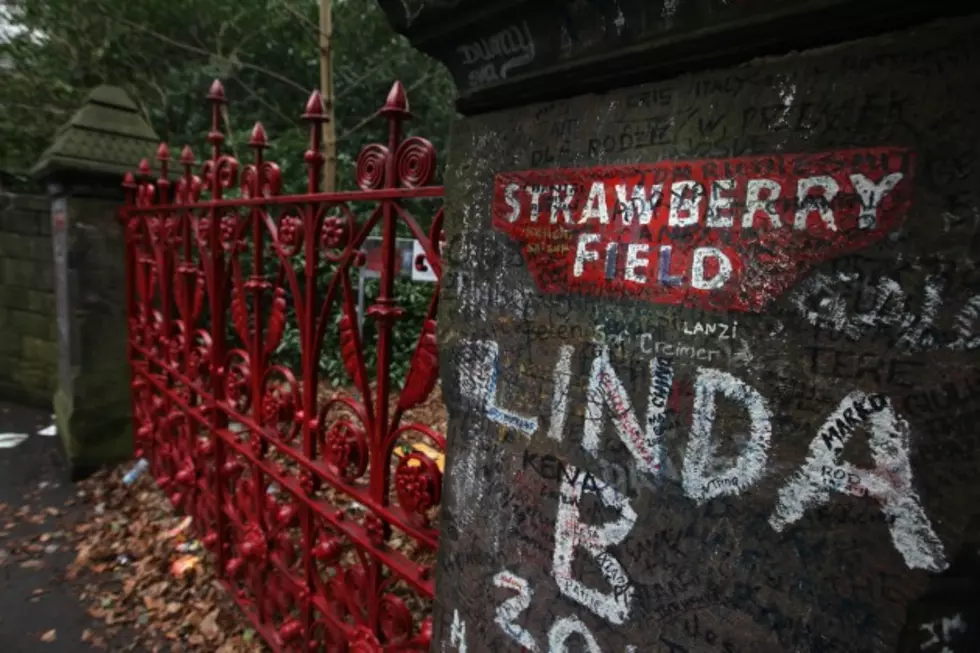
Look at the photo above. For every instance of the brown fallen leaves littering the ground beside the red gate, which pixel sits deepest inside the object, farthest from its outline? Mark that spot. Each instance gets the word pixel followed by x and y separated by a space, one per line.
pixel 138 567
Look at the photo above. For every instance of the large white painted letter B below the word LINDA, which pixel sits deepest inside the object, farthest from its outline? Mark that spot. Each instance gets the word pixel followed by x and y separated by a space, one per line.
pixel 571 534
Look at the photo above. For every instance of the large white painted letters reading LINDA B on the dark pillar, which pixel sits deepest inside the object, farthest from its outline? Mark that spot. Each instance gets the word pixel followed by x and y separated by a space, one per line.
pixel 705 476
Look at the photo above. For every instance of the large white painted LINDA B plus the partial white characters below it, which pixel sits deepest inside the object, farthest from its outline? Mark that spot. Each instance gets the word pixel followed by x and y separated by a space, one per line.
pixel 705 475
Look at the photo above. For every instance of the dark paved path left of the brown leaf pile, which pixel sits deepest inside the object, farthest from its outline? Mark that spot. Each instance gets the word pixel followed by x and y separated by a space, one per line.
pixel 35 596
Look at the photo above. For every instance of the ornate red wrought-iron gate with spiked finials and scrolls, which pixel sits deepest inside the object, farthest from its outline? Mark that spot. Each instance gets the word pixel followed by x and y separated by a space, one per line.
pixel 297 494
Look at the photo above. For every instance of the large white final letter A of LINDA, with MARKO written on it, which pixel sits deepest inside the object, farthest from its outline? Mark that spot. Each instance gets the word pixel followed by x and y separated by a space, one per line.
pixel 890 482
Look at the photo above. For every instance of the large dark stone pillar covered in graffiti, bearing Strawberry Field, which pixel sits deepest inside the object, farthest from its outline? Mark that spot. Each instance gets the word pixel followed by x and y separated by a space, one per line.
pixel 709 343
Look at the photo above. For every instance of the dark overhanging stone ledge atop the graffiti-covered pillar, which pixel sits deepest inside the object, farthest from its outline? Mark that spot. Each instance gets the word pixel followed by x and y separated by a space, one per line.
pixel 508 53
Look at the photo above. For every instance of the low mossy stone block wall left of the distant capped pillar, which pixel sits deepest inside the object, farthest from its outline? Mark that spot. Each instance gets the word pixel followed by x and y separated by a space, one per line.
pixel 28 331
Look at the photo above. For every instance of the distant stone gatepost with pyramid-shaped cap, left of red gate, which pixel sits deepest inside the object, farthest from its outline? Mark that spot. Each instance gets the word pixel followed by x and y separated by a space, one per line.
pixel 83 171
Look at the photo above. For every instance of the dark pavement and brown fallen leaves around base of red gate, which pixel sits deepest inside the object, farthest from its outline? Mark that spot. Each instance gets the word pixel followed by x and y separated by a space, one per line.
pixel 103 566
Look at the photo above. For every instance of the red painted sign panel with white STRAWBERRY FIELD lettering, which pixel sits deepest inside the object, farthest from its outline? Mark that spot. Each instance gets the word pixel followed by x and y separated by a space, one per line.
pixel 723 234
